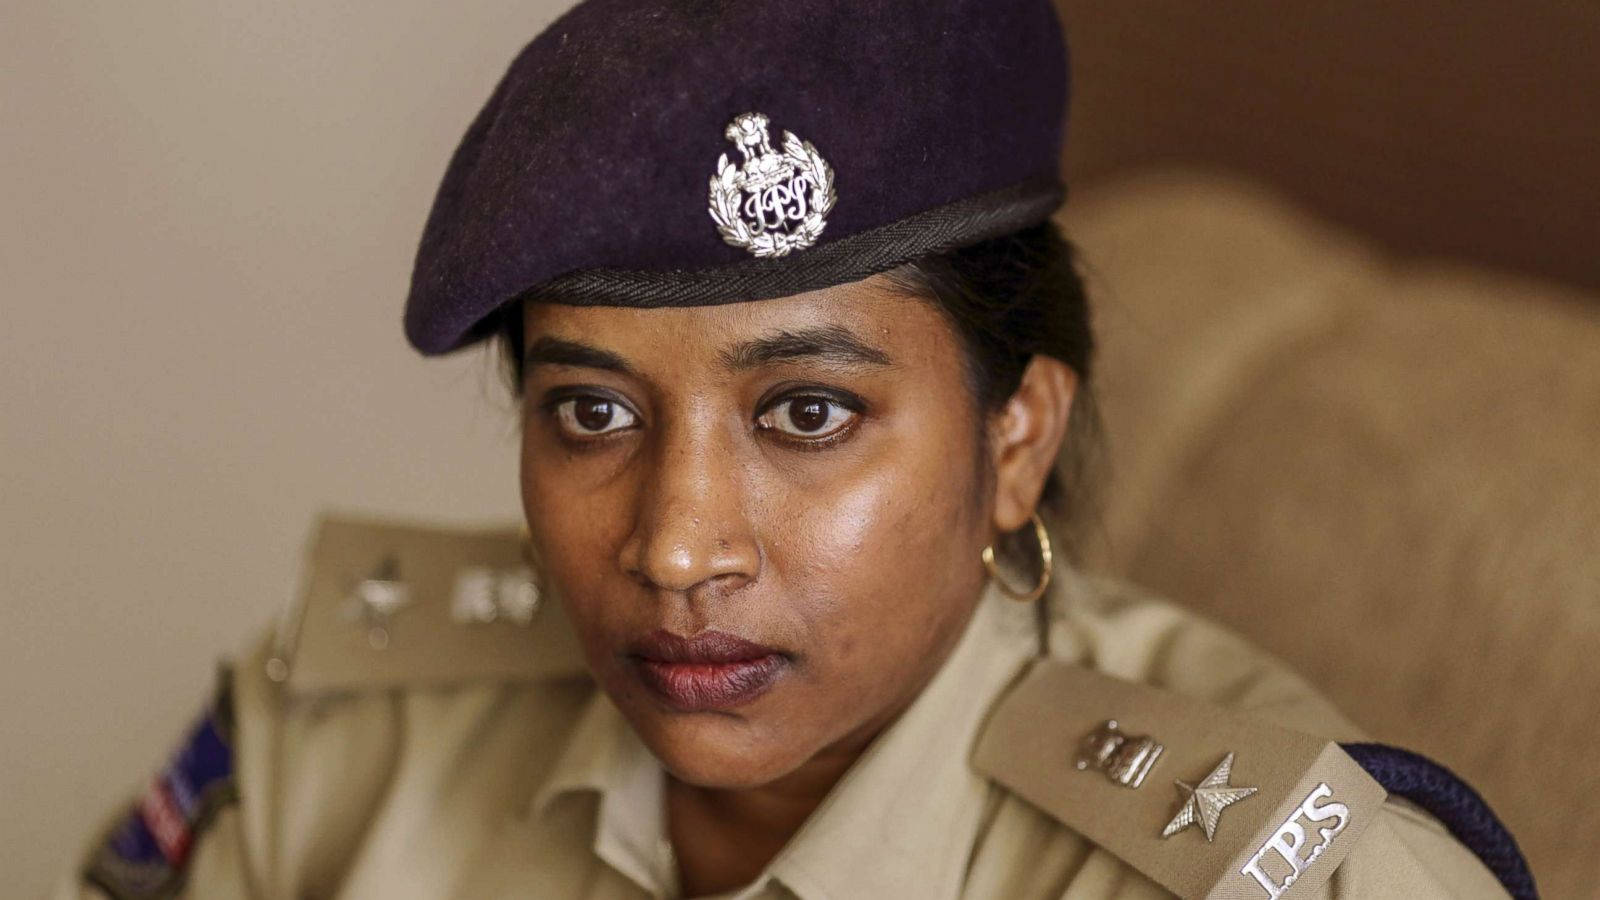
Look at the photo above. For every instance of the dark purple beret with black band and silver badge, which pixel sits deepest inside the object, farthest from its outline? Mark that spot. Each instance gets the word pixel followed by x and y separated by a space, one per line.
pixel 678 153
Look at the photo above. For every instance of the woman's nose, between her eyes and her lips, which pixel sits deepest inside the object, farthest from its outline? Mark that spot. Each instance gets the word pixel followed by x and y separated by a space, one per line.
pixel 690 531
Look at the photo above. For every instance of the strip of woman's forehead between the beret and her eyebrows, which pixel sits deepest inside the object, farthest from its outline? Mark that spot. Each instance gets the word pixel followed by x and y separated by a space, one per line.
pixel 906 329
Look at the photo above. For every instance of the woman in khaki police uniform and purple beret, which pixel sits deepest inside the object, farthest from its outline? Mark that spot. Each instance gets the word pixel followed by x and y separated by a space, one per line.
pixel 788 432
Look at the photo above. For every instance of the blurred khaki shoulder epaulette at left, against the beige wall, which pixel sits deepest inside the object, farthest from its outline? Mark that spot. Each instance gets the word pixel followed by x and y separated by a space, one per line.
pixel 391 605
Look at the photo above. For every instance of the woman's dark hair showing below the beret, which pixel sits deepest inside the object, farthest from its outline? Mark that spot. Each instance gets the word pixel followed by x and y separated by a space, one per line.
pixel 1010 299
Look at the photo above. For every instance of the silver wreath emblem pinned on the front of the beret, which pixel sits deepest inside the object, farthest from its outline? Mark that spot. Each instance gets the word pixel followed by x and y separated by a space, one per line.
pixel 777 201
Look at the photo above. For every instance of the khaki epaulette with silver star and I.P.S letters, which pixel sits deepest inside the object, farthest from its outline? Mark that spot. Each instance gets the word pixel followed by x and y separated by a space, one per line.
pixel 1202 800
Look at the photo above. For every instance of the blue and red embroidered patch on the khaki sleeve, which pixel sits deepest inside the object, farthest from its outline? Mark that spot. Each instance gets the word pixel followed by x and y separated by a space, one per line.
pixel 146 854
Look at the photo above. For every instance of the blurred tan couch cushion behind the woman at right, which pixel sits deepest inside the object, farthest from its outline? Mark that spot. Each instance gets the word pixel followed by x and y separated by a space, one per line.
pixel 1385 472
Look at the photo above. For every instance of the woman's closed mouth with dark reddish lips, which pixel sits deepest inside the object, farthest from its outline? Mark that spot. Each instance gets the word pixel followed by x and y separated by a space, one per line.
pixel 705 673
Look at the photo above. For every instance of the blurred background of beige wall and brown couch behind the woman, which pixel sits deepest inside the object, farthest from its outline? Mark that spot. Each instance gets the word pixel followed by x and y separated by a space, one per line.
pixel 1346 270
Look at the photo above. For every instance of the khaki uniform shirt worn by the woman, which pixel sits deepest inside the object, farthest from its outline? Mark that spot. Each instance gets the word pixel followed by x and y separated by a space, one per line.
pixel 537 787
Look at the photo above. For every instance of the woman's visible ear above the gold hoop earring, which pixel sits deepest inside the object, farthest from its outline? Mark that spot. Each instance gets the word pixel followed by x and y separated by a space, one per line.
pixel 1026 440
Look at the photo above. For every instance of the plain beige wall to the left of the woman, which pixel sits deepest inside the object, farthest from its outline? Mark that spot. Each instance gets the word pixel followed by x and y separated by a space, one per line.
pixel 209 220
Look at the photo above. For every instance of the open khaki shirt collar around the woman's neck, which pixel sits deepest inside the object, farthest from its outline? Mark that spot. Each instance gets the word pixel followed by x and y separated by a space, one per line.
pixel 900 824
